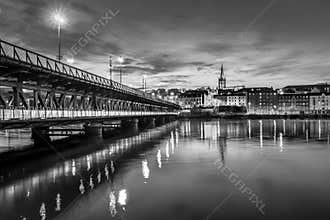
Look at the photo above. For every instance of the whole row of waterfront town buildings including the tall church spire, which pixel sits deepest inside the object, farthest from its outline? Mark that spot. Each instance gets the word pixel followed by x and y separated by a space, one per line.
pixel 293 99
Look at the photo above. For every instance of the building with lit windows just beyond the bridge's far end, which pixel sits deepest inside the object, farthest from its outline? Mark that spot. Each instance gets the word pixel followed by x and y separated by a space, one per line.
pixel 193 99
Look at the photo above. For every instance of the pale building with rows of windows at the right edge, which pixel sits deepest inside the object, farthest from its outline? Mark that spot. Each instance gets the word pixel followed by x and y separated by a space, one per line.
pixel 319 103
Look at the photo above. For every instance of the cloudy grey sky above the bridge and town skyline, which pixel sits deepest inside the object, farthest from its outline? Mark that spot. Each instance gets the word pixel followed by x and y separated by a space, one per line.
pixel 182 43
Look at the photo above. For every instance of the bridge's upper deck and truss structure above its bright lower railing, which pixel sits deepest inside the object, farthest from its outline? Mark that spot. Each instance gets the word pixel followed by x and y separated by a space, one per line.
pixel 32 81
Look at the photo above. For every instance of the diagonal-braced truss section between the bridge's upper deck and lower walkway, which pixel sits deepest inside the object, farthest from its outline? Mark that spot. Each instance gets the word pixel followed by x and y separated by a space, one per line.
pixel 27 96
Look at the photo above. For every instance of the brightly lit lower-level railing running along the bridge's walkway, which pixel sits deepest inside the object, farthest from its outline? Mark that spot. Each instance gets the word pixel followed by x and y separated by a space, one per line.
pixel 23 114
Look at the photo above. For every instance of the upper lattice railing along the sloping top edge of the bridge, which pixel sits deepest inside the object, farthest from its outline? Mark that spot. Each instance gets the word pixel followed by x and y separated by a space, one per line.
pixel 34 59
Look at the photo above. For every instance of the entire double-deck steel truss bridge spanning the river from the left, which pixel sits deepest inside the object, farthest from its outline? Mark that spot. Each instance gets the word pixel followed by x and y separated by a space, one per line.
pixel 37 91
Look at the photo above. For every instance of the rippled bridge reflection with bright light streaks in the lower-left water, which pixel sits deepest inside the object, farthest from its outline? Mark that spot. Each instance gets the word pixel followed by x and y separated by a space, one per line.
pixel 75 175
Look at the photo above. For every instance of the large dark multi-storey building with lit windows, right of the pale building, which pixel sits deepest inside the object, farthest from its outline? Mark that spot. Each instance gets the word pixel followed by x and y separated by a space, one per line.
pixel 261 100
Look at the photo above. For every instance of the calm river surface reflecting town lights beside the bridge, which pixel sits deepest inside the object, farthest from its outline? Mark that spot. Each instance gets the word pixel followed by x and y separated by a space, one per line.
pixel 173 172
